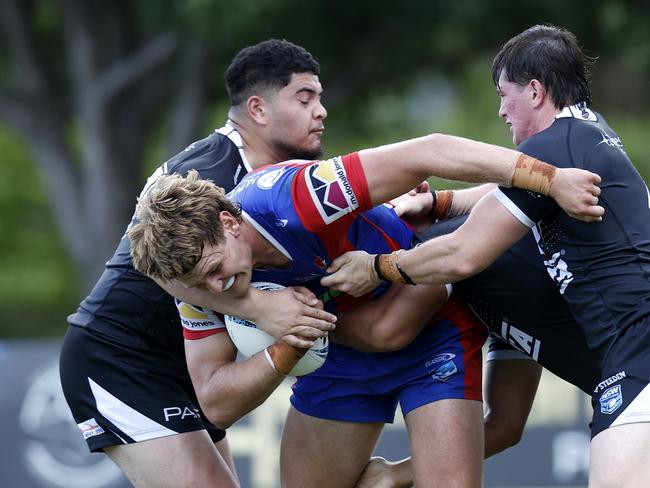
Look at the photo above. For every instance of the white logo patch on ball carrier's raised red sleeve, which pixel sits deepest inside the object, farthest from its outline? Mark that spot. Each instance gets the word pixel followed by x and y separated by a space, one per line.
pixel 330 189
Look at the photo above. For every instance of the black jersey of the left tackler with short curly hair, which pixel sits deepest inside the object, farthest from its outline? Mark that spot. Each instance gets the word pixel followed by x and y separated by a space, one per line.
pixel 124 300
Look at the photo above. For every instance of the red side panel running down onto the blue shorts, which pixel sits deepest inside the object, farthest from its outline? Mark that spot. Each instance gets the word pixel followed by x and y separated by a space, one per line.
pixel 473 335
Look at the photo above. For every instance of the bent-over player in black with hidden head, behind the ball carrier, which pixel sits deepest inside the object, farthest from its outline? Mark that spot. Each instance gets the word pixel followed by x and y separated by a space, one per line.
pixel 530 327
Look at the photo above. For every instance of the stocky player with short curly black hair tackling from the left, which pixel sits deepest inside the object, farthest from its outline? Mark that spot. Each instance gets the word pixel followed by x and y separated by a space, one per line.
pixel 123 366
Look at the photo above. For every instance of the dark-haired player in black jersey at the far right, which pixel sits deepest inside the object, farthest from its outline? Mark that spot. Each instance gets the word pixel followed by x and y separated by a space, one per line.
pixel 600 269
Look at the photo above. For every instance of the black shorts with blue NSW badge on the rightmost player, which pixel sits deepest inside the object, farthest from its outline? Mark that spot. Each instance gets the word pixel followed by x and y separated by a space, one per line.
pixel 623 394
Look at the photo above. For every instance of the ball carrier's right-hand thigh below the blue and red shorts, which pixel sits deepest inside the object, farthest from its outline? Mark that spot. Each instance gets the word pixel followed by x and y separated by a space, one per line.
pixel 446 440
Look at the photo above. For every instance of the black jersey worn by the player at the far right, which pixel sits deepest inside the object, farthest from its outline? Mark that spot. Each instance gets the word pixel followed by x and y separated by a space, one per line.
pixel 602 270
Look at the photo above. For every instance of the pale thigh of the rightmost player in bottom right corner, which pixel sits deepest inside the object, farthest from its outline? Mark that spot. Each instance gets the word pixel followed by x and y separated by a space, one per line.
pixel 619 457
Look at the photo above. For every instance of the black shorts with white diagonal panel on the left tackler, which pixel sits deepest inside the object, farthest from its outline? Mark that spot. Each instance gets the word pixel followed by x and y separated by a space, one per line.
pixel 123 391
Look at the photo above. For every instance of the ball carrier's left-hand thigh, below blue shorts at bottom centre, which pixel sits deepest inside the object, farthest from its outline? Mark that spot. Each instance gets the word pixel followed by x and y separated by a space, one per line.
pixel 318 452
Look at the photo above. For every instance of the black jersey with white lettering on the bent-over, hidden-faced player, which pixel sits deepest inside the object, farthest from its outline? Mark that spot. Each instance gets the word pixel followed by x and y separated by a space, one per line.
pixel 521 307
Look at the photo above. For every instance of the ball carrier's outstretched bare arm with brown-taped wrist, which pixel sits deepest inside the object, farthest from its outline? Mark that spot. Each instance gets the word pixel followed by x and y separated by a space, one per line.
pixel 462 159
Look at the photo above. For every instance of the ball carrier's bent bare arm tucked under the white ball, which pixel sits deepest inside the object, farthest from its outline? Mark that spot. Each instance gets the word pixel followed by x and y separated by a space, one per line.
pixel 228 390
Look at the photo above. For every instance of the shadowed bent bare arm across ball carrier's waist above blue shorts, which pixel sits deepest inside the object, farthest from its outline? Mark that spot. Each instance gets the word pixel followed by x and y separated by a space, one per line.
pixel 391 322
